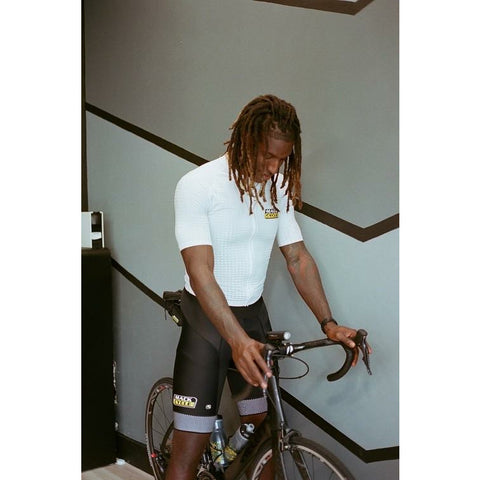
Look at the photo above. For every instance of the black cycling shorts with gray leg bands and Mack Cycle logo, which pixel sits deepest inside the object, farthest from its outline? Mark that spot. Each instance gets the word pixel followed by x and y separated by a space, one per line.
pixel 203 361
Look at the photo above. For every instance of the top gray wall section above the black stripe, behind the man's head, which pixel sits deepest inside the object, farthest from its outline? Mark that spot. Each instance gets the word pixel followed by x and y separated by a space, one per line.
pixel 183 69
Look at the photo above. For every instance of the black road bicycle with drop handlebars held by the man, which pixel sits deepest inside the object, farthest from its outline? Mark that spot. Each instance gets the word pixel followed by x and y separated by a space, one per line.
pixel 293 456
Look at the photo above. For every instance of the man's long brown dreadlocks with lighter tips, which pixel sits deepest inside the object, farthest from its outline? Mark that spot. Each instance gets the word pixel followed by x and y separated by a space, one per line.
pixel 262 117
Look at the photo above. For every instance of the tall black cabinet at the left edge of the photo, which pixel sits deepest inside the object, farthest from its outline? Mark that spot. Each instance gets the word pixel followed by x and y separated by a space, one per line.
pixel 98 413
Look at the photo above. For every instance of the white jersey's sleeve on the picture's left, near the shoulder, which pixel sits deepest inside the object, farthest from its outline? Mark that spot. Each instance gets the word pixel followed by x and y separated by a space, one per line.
pixel 191 212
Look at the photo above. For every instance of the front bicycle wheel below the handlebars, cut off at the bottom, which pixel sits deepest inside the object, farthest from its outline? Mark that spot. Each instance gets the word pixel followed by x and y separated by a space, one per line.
pixel 320 464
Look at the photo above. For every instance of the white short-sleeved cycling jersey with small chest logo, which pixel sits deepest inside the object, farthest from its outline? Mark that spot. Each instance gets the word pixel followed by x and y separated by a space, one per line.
pixel 209 211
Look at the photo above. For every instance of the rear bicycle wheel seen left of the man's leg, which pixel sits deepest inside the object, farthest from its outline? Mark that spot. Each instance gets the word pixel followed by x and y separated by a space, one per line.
pixel 159 426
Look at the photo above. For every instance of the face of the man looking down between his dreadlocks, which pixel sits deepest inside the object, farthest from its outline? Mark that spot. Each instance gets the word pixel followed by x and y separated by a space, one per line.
pixel 271 155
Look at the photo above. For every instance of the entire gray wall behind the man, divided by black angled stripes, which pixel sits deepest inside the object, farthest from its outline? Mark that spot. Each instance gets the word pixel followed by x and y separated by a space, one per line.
pixel 182 70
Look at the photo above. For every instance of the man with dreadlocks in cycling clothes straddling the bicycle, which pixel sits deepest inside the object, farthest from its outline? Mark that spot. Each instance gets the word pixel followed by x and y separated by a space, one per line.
pixel 228 213
